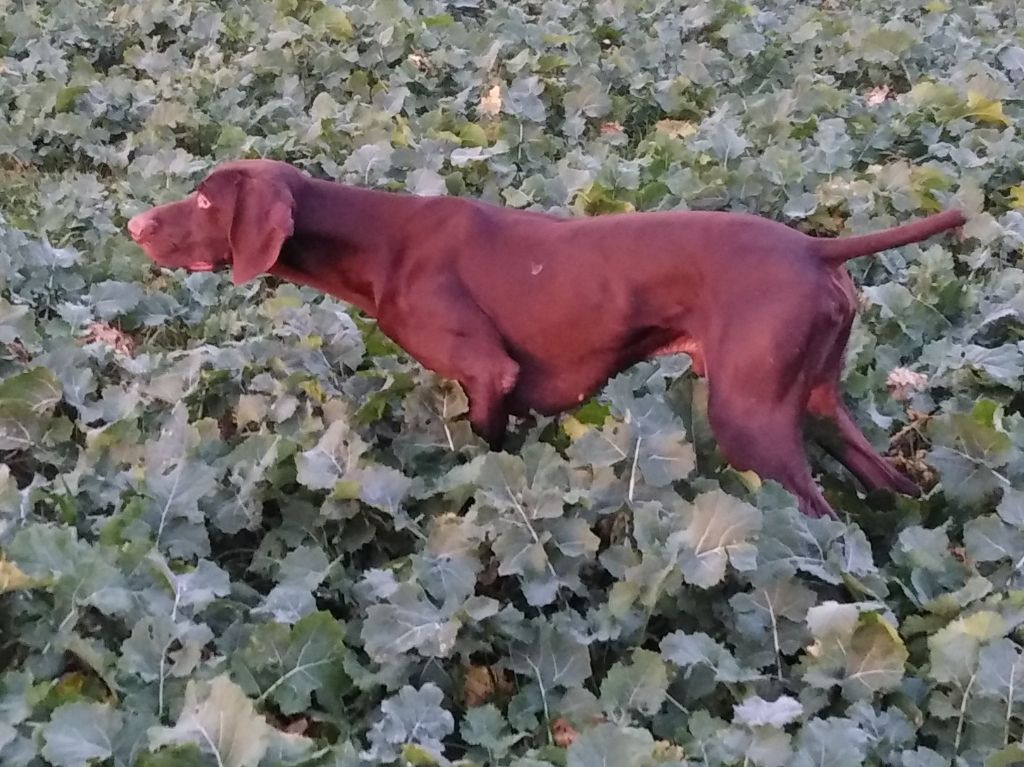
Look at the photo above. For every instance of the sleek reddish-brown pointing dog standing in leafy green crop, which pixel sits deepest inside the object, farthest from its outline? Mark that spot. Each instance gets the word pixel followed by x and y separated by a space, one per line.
pixel 534 313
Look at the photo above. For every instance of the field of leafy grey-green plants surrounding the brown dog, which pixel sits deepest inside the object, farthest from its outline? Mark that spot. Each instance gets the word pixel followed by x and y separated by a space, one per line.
pixel 240 528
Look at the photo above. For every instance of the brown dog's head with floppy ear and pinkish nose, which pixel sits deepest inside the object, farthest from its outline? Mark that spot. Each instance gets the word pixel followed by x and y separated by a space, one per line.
pixel 239 217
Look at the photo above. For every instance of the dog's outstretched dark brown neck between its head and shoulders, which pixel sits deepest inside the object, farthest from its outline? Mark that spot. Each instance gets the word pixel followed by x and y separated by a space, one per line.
pixel 358 232
